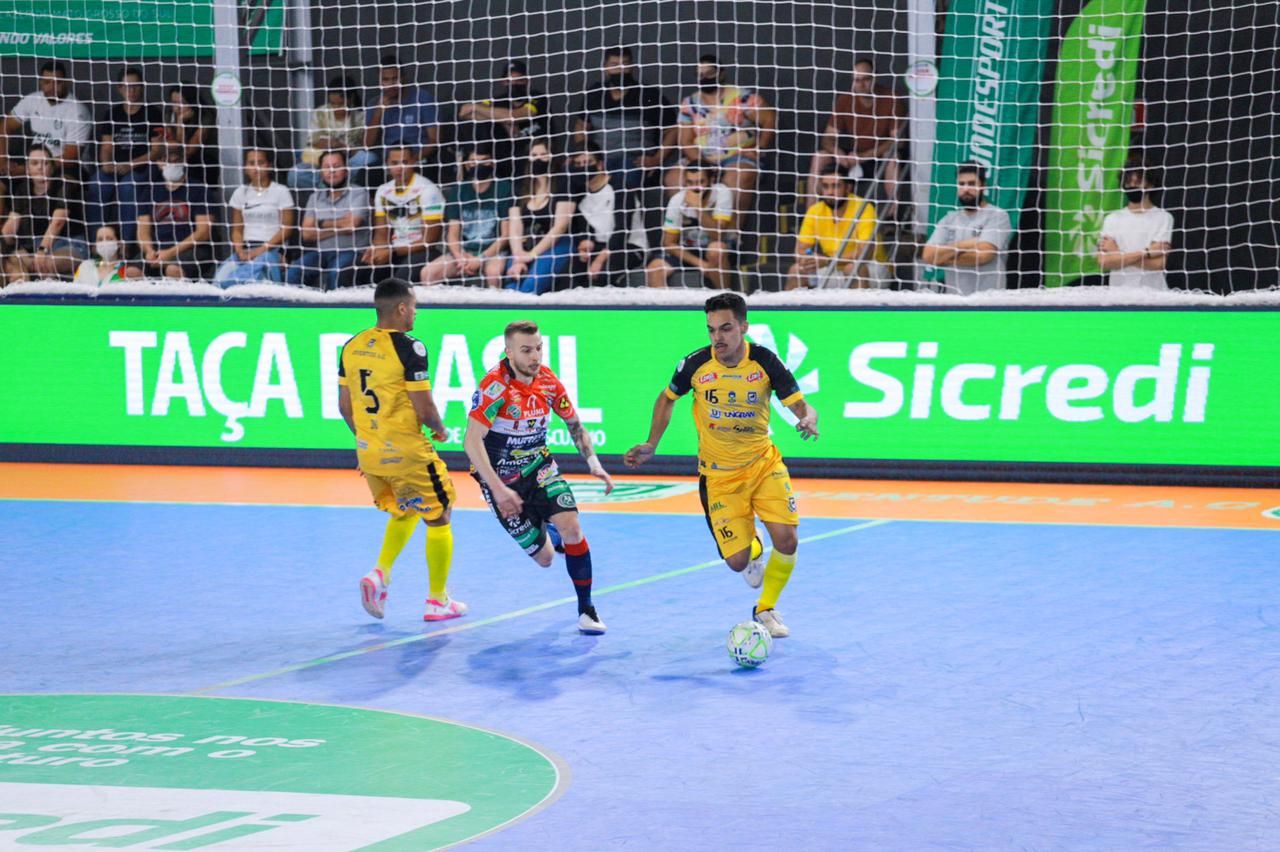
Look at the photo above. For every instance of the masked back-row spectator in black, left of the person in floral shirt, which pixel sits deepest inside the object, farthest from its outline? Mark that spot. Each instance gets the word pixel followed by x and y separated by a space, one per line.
pixel 633 125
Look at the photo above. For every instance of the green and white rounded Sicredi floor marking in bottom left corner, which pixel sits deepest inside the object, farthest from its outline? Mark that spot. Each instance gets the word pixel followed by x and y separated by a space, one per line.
pixel 194 773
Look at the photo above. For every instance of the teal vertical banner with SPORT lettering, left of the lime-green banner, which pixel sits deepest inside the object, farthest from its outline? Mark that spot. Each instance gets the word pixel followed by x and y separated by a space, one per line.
pixel 989 98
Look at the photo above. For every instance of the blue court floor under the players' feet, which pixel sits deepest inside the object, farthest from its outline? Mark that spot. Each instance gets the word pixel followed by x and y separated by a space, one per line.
pixel 948 686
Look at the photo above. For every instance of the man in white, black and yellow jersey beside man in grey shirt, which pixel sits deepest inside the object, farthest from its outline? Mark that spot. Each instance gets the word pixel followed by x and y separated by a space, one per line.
pixel 408 214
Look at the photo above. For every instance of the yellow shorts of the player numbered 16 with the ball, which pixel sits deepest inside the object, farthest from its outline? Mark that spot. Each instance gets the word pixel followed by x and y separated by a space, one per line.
pixel 733 503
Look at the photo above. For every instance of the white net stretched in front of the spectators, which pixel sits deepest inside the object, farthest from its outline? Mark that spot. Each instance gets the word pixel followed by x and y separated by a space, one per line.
pixel 921 145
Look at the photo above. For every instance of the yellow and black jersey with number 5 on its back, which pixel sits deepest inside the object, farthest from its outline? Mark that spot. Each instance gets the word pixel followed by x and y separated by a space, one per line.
pixel 380 368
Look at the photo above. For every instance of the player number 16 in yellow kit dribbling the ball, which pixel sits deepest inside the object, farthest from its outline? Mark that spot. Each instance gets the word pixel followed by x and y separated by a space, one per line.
pixel 742 475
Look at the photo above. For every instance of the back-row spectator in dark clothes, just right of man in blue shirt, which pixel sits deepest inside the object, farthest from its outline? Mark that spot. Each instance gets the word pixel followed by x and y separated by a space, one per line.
pixel 511 118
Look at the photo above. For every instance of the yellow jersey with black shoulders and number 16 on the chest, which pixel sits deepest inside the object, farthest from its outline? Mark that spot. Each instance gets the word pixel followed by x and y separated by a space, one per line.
pixel 732 405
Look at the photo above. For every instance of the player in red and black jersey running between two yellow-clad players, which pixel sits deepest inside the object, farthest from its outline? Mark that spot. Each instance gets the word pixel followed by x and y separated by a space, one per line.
pixel 506 442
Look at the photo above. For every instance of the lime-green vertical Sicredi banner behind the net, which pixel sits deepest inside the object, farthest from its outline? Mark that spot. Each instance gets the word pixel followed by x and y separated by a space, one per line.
pixel 1098 70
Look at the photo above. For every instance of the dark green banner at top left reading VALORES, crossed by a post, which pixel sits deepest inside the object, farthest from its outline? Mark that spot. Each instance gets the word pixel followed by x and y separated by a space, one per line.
pixel 131 29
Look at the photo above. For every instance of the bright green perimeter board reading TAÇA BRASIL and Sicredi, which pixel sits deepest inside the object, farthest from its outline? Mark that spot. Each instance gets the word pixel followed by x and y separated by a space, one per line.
pixel 1089 387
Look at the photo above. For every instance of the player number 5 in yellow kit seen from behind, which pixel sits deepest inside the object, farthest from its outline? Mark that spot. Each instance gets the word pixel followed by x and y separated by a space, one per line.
pixel 386 397
